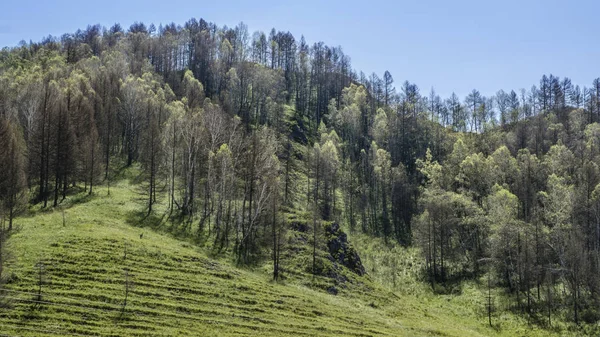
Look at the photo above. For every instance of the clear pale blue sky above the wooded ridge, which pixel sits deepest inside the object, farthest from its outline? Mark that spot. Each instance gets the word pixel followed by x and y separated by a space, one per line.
pixel 451 45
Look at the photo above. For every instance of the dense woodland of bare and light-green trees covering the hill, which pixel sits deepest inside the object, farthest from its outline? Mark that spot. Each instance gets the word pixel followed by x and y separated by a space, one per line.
pixel 231 129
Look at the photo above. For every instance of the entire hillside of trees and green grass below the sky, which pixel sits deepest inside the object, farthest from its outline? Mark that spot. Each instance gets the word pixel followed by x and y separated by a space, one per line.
pixel 198 180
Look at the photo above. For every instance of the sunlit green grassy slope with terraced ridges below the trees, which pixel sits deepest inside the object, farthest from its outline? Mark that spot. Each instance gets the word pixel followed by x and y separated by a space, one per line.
pixel 89 261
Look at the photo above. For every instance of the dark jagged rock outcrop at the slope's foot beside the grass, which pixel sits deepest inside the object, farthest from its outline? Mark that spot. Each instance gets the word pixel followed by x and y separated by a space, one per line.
pixel 341 251
